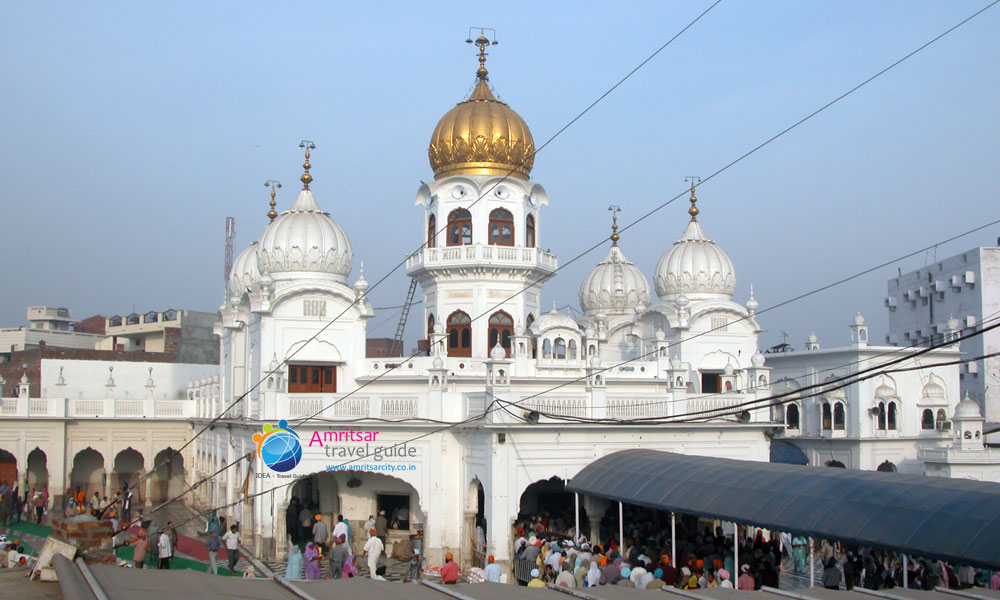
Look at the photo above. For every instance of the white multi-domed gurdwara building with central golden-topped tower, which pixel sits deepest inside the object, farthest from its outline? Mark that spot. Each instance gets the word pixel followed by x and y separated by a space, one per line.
pixel 491 354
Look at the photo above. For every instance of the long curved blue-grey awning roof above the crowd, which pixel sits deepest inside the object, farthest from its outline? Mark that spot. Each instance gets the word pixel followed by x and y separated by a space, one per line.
pixel 952 519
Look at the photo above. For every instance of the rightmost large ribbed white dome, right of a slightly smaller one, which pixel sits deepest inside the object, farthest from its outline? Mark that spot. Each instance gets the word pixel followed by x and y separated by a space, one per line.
pixel 695 266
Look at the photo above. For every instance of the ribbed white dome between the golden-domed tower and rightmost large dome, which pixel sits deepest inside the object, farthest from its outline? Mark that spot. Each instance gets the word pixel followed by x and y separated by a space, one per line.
pixel 615 285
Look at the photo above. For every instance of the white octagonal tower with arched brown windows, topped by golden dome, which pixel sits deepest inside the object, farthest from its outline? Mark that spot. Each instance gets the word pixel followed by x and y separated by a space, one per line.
pixel 481 267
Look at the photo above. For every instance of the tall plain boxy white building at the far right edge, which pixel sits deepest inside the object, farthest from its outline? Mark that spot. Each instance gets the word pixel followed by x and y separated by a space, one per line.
pixel 965 287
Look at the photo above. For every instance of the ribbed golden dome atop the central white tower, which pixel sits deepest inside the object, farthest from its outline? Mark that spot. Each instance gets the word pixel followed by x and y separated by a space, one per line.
pixel 481 136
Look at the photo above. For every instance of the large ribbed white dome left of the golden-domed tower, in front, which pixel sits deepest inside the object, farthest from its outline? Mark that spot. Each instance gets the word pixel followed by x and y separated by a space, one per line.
pixel 305 238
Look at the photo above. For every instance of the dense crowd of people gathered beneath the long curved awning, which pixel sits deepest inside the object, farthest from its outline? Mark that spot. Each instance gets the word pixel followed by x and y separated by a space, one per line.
pixel 551 553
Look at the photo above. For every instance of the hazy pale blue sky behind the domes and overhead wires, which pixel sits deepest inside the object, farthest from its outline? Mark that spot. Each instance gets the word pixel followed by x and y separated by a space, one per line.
pixel 131 130
